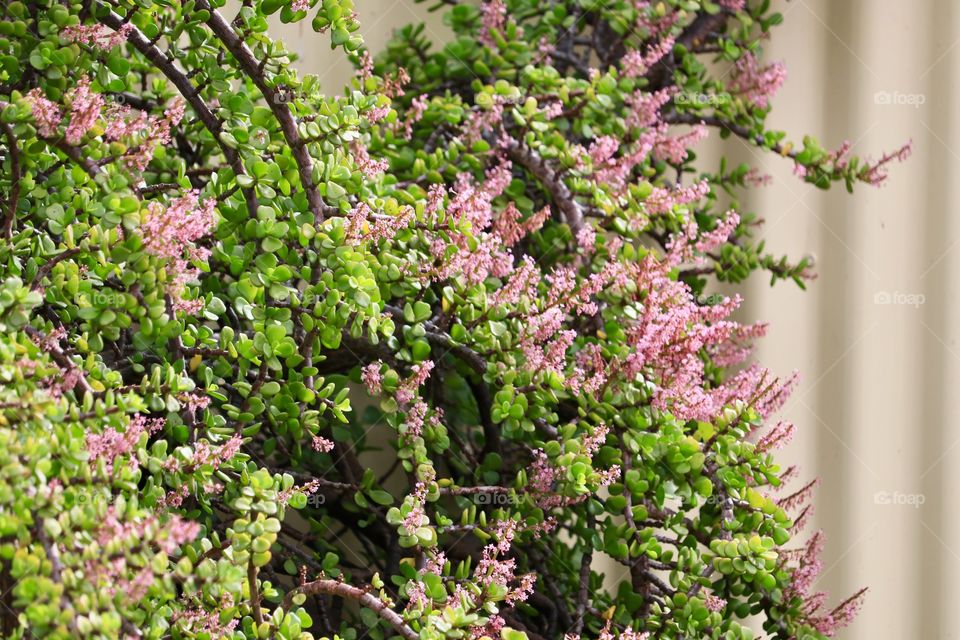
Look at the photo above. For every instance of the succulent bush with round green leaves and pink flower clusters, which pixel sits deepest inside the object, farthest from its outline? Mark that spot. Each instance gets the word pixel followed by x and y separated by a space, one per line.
pixel 434 355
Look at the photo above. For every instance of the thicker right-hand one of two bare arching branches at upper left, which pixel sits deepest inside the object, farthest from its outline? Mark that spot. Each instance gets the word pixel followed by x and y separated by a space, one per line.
pixel 236 46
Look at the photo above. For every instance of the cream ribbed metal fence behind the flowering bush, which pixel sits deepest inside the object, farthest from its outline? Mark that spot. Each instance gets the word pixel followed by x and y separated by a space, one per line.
pixel 875 336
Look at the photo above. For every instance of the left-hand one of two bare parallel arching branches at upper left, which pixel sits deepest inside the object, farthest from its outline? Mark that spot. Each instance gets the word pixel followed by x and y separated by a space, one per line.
pixel 190 94
